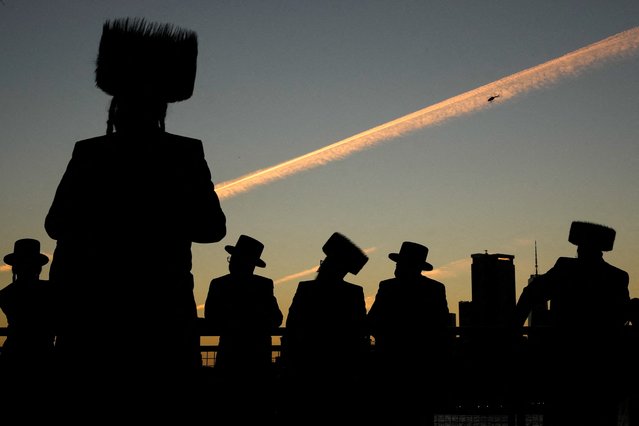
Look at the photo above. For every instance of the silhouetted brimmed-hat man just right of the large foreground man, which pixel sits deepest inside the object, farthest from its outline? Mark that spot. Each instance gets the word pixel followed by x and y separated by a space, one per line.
pixel 242 308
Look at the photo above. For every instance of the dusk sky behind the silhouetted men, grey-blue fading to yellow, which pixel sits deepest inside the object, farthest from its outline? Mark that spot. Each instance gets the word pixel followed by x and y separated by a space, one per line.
pixel 278 80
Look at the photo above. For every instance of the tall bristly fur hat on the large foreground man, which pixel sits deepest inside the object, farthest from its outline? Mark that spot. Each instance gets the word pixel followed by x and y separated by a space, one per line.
pixel 151 60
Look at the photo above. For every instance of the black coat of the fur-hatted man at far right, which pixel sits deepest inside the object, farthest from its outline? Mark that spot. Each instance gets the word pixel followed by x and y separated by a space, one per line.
pixel 582 351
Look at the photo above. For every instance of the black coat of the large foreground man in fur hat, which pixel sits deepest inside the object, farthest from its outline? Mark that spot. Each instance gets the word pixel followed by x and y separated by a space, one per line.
pixel 124 216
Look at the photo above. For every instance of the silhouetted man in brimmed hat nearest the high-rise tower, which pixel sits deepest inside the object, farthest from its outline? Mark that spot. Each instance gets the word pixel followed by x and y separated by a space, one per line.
pixel 409 320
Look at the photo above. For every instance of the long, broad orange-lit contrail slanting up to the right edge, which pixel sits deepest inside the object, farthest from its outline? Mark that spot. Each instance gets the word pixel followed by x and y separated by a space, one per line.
pixel 570 64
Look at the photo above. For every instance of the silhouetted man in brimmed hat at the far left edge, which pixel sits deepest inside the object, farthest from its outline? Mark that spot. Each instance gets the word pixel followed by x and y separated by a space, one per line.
pixel 26 357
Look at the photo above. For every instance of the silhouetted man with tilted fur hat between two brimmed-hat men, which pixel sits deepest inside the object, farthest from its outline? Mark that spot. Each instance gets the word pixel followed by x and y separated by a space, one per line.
pixel 325 341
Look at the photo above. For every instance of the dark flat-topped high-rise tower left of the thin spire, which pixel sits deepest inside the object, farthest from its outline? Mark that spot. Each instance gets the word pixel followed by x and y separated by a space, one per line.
pixel 493 288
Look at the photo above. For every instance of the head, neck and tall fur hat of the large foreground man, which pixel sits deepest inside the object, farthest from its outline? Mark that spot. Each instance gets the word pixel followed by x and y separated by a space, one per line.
pixel 144 66
